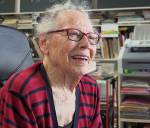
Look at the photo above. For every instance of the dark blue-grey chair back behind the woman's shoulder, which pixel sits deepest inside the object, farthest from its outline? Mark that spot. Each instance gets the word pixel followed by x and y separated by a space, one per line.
pixel 15 52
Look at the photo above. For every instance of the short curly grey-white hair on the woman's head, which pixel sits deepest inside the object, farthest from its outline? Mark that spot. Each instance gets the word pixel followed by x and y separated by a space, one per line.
pixel 48 21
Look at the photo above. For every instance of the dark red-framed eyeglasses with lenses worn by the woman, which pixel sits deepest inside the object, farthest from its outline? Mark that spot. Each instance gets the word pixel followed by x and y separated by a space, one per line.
pixel 76 35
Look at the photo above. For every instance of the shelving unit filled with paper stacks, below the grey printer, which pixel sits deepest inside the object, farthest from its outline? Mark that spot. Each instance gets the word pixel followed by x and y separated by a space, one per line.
pixel 133 97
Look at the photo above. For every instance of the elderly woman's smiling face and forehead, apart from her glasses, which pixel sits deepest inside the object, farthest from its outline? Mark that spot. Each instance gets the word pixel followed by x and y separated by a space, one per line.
pixel 65 55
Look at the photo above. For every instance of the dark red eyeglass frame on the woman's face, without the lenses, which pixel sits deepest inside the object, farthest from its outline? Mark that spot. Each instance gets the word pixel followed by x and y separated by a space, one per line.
pixel 82 34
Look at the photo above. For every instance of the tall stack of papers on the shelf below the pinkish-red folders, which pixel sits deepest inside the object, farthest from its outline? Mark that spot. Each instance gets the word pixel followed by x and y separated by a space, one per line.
pixel 135 107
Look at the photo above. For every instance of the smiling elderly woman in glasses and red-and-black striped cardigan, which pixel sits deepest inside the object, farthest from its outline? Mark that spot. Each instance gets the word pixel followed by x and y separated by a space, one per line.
pixel 56 93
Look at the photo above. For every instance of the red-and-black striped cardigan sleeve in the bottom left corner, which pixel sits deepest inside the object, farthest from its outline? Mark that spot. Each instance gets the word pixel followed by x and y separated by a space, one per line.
pixel 14 112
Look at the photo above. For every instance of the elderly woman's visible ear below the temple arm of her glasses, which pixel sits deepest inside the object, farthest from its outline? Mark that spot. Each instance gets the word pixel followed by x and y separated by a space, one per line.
pixel 43 44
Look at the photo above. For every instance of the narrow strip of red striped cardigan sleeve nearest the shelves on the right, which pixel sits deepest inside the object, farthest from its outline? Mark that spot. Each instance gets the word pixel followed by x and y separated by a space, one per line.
pixel 96 121
